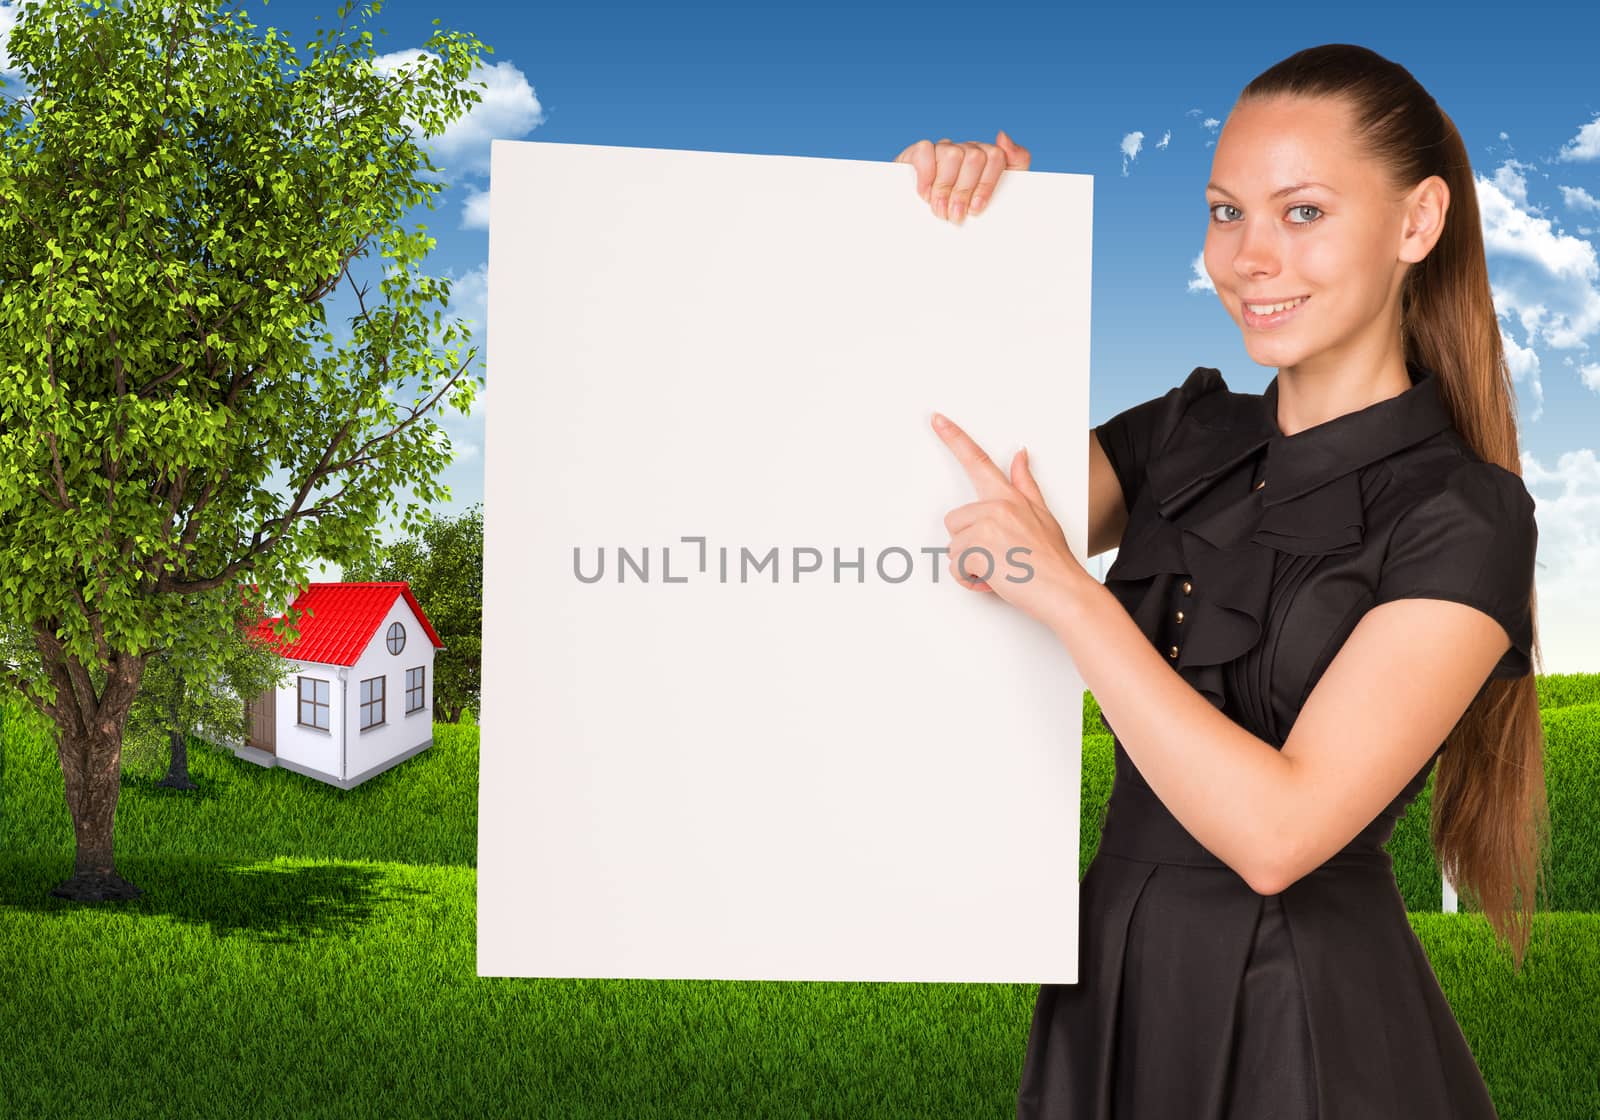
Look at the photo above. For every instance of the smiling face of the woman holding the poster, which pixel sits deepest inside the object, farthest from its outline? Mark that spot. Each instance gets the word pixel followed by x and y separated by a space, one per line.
pixel 1334 242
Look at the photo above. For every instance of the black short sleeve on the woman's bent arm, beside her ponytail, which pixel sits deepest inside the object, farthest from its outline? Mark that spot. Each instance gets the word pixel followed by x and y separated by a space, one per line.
pixel 1473 543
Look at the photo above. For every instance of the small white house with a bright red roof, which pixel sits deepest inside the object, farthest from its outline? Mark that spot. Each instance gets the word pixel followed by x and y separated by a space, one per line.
pixel 361 695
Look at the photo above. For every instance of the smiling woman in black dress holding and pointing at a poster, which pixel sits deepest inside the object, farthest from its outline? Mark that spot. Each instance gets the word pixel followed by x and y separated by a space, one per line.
pixel 1340 570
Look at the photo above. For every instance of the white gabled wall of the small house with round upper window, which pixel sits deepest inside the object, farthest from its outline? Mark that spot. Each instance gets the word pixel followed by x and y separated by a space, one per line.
pixel 401 732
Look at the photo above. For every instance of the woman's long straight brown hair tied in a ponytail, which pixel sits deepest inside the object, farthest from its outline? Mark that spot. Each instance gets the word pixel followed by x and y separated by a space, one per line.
pixel 1490 822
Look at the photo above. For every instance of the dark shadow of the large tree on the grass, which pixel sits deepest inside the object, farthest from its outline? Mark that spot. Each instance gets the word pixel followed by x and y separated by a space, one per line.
pixel 265 902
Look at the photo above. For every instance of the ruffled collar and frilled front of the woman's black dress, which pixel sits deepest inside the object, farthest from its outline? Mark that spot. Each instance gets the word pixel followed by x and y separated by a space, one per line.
pixel 1207 521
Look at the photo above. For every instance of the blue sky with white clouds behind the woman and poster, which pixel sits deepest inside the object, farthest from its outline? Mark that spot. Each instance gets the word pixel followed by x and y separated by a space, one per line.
pixel 1129 94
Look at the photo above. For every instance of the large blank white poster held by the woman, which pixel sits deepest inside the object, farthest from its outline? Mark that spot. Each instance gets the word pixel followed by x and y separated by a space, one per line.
pixel 738 721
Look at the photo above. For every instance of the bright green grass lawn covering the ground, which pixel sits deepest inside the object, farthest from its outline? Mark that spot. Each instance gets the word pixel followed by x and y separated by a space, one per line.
pixel 303 951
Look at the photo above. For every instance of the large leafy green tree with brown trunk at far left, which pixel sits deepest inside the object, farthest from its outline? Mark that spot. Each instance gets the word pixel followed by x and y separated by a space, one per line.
pixel 178 196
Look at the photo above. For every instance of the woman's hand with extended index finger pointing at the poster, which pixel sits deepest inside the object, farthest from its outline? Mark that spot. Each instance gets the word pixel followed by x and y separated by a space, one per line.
pixel 1018 550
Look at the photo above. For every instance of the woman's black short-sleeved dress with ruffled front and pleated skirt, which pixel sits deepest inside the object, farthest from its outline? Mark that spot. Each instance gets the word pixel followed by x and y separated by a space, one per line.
pixel 1249 559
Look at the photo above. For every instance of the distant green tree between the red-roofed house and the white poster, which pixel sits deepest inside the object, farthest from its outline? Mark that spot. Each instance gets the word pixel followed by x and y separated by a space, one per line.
pixel 446 570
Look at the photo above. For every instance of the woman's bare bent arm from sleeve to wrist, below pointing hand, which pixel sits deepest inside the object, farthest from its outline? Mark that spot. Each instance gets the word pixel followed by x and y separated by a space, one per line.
pixel 1367 729
